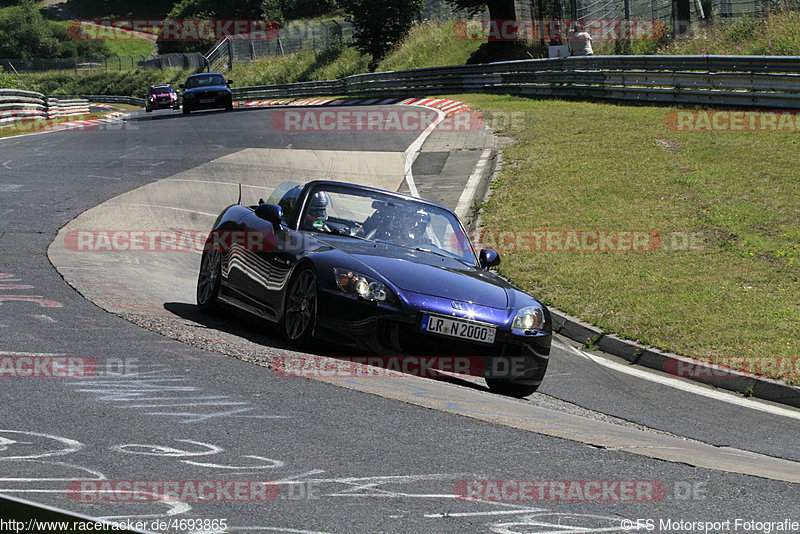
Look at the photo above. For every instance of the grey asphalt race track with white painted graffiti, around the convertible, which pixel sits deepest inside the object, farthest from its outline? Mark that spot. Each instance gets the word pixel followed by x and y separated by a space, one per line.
pixel 178 397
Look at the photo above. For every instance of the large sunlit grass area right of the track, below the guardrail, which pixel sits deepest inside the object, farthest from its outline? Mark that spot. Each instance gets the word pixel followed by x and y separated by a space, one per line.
pixel 584 166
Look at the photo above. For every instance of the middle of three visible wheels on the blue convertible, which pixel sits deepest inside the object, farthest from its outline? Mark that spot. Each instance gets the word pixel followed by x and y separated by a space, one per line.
pixel 300 312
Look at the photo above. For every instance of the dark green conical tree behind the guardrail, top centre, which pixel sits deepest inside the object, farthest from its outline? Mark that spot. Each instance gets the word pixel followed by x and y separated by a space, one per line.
pixel 378 26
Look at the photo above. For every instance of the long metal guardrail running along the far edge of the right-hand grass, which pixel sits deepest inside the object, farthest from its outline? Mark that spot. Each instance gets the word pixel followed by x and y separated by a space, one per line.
pixel 742 81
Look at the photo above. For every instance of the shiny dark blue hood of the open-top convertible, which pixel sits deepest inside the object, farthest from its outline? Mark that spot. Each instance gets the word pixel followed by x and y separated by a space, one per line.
pixel 426 273
